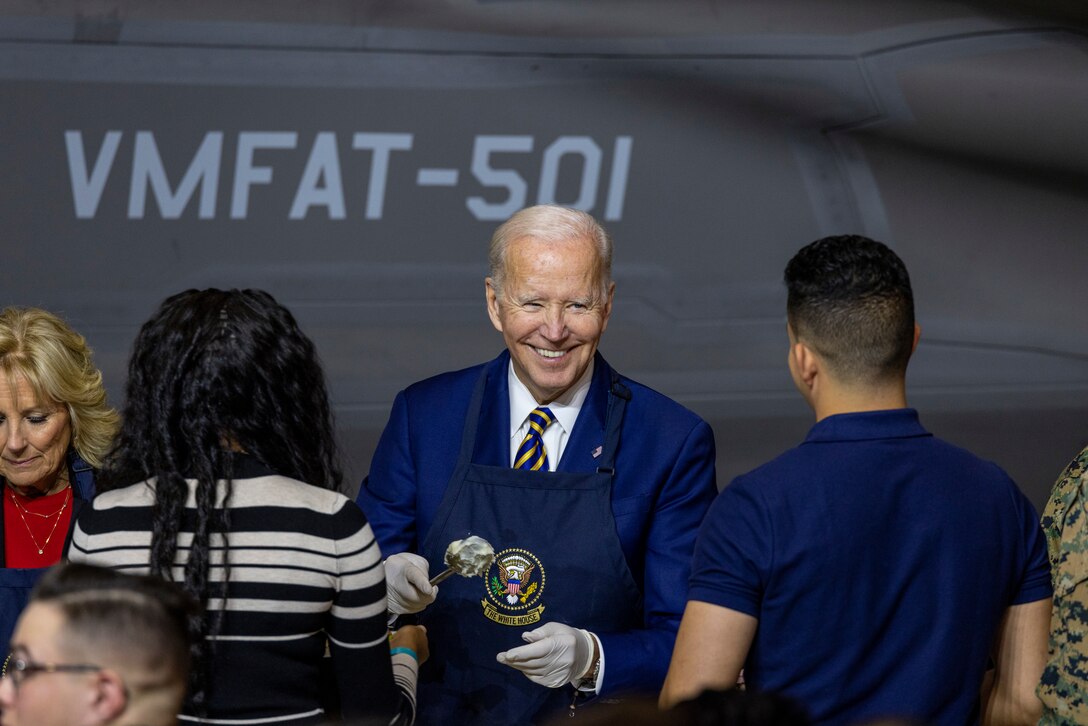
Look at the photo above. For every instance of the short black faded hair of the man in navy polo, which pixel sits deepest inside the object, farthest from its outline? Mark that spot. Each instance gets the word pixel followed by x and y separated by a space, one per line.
pixel 850 300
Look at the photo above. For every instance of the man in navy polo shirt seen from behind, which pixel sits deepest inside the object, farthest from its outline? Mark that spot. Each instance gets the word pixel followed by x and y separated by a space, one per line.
pixel 874 571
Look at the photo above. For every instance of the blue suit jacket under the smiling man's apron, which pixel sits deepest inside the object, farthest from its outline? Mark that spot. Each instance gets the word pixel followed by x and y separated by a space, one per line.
pixel 663 487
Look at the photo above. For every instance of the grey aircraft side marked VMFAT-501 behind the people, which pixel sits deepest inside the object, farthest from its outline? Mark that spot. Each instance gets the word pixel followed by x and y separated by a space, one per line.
pixel 954 132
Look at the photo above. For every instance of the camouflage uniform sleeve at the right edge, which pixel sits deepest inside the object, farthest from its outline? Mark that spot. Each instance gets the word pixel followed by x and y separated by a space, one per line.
pixel 1065 686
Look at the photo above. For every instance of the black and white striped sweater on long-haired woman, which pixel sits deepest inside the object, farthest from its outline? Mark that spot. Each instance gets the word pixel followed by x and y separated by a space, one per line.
pixel 305 571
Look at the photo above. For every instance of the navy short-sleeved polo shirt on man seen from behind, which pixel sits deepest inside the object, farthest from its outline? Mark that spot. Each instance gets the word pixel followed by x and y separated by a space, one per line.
pixel 880 561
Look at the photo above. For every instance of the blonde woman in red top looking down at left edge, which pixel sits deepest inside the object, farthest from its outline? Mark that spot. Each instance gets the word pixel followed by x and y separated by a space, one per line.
pixel 55 429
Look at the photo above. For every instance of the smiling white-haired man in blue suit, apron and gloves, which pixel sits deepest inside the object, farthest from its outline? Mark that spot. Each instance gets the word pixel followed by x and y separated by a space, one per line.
pixel 589 486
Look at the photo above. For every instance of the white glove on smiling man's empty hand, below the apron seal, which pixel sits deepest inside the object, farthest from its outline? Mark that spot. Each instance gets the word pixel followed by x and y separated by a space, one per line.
pixel 557 655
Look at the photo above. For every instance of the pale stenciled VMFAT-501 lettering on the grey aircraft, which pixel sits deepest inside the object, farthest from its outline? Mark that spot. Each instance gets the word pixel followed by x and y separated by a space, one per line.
pixel 573 170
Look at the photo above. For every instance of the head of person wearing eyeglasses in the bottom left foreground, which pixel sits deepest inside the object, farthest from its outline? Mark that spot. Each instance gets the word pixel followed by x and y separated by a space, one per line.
pixel 96 647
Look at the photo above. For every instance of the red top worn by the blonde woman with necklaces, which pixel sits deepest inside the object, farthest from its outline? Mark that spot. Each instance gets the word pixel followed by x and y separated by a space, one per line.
pixel 45 521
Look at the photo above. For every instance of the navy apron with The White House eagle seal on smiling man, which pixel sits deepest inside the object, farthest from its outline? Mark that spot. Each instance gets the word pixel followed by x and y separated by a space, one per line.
pixel 559 559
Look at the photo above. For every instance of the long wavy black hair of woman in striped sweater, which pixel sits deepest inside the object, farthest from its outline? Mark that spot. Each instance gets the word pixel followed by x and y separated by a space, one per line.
pixel 214 373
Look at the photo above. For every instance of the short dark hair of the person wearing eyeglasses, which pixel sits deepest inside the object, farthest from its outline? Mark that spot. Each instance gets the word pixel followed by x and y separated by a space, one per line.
pixel 141 620
